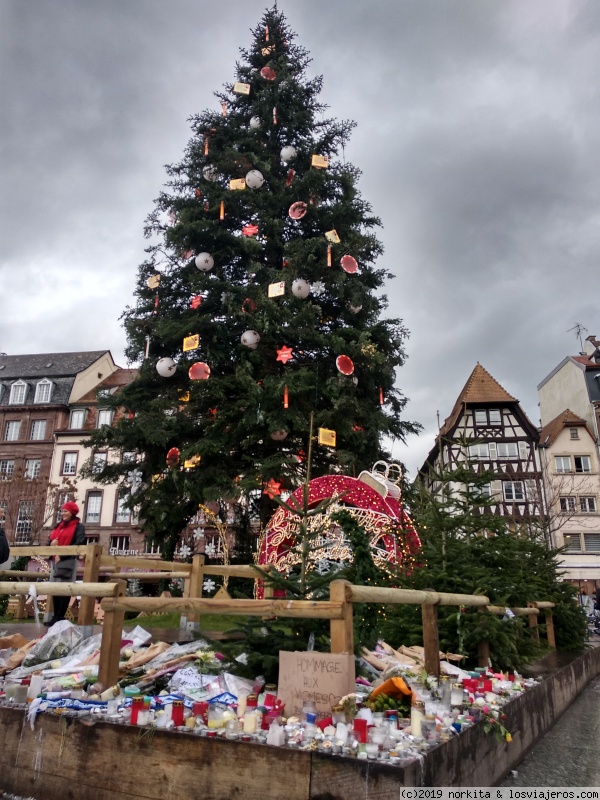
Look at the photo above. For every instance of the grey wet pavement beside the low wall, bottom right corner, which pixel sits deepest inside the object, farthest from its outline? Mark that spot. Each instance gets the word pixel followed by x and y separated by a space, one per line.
pixel 568 755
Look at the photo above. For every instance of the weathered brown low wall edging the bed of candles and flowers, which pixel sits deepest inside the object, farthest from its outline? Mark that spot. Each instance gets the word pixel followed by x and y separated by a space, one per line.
pixel 73 759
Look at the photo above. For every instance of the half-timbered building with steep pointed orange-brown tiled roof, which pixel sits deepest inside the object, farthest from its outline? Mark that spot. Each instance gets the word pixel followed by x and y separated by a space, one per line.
pixel 489 431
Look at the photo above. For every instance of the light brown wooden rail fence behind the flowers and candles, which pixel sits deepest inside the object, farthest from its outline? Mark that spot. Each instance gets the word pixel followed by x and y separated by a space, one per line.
pixel 338 609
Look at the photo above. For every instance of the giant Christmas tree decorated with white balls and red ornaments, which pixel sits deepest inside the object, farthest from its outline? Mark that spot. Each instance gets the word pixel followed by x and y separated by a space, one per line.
pixel 258 304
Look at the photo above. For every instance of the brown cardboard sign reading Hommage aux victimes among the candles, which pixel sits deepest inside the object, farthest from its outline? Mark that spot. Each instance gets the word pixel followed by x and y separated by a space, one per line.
pixel 323 678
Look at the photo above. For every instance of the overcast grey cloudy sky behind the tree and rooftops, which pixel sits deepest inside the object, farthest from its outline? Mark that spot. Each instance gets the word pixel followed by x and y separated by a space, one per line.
pixel 478 137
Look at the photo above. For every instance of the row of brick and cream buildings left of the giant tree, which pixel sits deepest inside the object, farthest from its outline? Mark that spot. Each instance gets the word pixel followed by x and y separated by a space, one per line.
pixel 49 403
